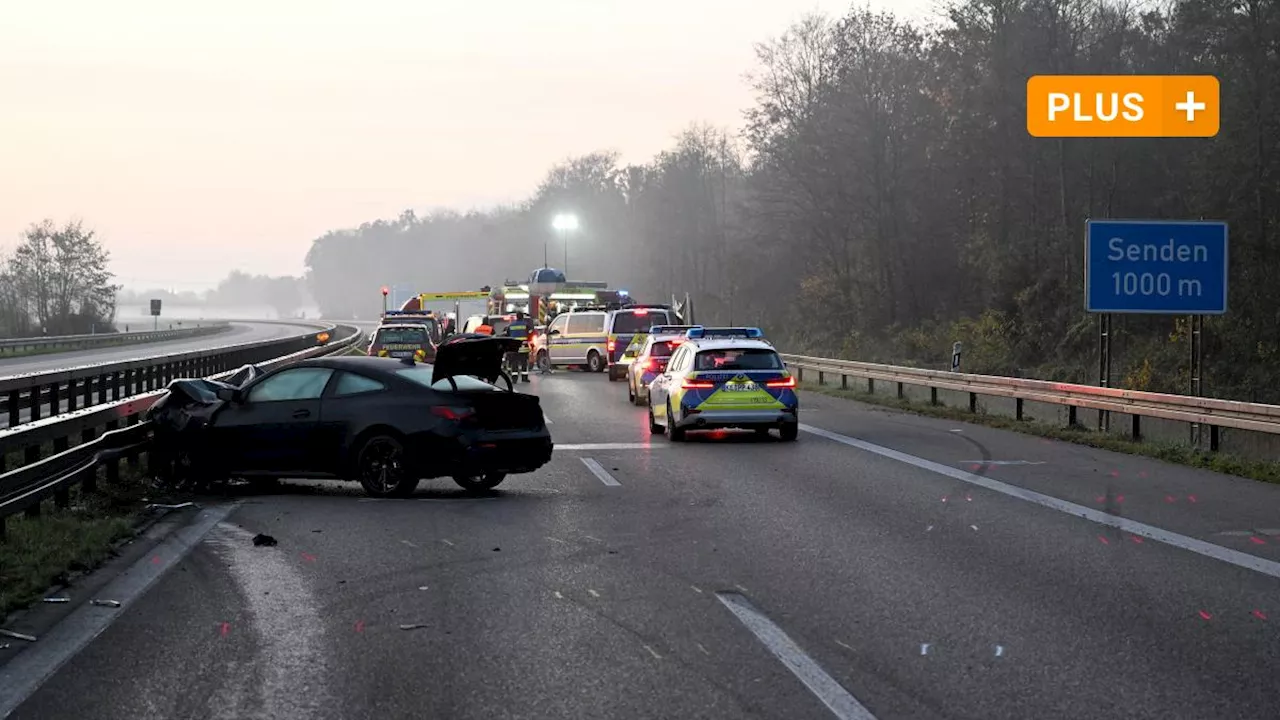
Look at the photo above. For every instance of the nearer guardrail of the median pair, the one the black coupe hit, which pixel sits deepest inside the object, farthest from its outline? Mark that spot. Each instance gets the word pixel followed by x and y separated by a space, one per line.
pixel 25 489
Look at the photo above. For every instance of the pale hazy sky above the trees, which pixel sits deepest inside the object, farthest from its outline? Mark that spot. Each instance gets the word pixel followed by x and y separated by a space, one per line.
pixel 240 131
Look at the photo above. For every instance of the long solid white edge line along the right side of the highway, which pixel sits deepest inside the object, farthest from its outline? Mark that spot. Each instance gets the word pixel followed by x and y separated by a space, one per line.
pixel 1160 535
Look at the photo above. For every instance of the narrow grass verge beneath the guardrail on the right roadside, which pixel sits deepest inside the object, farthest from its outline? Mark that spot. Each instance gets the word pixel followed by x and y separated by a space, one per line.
pixel 1264 471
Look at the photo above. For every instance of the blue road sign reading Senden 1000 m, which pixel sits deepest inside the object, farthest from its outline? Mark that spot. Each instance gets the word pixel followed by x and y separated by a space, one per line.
pixel 1155 267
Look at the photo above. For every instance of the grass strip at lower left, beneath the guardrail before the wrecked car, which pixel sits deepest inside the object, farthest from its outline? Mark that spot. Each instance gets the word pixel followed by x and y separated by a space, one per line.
pixel 51 550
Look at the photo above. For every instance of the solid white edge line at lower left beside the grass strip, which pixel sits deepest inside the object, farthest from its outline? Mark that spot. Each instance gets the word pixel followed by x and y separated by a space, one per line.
pixel 36 664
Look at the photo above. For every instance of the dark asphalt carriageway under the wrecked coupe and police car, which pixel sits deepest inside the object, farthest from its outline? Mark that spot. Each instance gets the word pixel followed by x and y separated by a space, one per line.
pixel 883 567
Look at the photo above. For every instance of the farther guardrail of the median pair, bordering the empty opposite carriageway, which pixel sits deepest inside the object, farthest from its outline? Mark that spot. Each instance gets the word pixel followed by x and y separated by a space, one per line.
pixel 47 393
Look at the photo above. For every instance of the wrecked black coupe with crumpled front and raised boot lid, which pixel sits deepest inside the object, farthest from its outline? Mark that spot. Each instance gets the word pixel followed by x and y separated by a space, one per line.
pixel 383 422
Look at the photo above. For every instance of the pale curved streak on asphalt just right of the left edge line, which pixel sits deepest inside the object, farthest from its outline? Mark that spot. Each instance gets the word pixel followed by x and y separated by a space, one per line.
pixel 295 672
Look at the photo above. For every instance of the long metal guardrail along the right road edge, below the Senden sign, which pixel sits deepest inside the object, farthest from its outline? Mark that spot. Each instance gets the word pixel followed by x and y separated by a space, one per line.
pixel 1205 412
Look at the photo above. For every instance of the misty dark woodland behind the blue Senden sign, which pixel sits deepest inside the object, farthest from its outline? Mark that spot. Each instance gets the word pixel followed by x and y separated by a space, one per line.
pixel 884 198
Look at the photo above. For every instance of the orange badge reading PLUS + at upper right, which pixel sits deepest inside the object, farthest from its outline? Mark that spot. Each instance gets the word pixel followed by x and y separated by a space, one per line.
pixel 1123 107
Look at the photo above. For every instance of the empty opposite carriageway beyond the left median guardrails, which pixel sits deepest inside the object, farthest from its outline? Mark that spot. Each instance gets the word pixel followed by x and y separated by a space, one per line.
pixel 240 332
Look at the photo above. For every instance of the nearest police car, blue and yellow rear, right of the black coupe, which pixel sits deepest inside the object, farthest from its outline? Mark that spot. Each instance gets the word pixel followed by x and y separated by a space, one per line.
pixel 725 379
